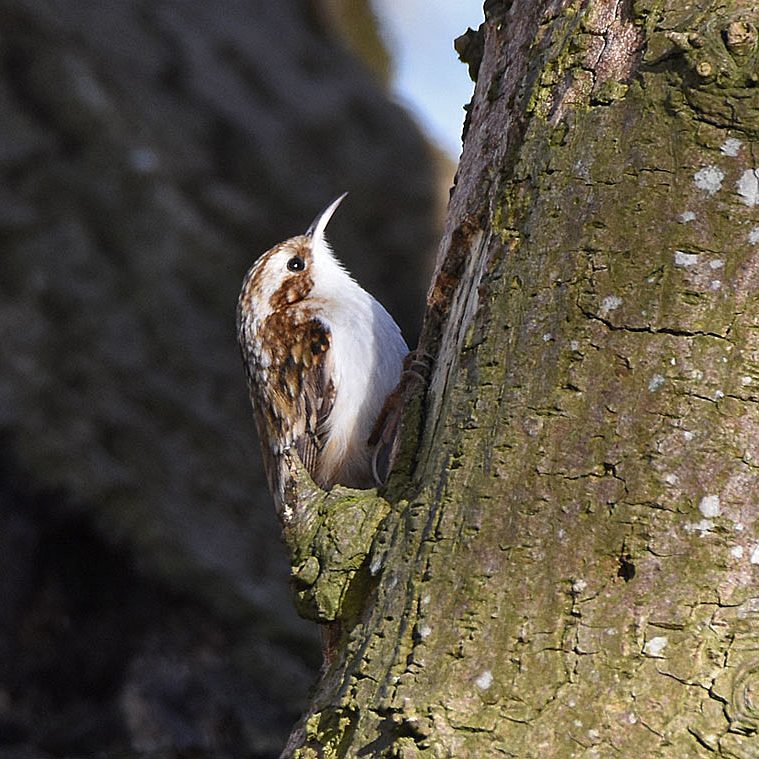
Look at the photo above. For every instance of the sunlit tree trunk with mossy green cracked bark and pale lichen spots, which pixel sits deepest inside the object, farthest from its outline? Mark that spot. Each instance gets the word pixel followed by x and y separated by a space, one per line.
pixel 571 560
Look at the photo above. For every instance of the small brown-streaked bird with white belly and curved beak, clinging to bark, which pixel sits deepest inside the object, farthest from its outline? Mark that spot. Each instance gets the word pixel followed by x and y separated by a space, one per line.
pixel 322 357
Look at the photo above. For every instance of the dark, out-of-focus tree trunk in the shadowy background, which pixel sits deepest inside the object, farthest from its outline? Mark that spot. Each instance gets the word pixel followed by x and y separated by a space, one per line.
pixel 149 152
